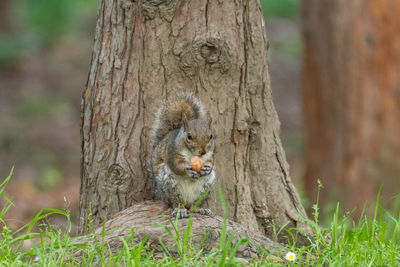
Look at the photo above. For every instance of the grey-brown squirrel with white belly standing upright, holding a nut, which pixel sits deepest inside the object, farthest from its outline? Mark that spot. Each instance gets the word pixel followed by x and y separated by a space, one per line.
pixel 179 133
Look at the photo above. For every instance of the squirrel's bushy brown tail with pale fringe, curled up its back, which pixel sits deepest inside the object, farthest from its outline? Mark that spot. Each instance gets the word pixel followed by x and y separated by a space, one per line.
pixel 169 116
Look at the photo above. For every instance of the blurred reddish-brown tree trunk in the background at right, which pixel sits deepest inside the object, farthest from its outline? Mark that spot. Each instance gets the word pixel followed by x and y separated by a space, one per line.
pixel 351 98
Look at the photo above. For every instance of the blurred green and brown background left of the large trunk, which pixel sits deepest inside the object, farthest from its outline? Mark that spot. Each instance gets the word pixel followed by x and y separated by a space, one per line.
pixel 45 51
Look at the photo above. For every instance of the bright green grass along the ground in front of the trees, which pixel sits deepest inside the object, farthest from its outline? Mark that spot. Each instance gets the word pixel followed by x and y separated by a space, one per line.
pixel 369 242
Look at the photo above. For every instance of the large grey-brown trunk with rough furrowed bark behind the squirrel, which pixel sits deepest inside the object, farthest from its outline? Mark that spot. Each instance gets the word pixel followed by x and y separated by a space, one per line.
pixel 147 51
